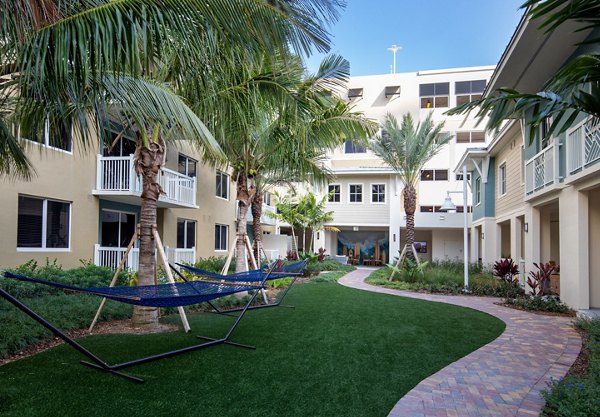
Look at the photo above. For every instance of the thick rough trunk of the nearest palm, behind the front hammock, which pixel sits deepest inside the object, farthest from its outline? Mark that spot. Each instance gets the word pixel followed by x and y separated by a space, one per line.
pixel 148 162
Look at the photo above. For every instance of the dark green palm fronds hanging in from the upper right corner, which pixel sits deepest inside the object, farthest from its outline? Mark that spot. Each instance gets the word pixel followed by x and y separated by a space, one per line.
pixel 572 90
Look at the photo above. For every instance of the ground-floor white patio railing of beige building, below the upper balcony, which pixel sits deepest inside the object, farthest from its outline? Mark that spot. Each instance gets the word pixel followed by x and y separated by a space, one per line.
pixel 111 256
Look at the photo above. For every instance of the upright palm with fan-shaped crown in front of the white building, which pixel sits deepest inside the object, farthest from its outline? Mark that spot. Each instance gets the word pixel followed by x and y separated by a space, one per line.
pixel 406 148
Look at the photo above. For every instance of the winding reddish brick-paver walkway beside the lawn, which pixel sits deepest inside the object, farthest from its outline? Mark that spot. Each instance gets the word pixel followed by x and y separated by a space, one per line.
pixel 503 378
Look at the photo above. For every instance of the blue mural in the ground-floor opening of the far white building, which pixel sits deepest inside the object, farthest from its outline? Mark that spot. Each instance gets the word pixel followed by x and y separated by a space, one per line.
pixel 370 244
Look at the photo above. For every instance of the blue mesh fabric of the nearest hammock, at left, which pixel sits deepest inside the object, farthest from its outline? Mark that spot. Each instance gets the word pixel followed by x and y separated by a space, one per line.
pixel 163 295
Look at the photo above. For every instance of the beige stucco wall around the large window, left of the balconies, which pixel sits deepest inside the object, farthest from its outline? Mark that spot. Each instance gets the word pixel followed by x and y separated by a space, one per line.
pixel 68 177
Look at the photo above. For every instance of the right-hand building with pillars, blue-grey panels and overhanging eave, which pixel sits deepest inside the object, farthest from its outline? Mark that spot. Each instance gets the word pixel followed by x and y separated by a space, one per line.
pixel 537 198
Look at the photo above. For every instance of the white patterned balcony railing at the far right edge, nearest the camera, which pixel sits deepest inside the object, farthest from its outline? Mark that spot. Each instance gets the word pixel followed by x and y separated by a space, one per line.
pixel 583 145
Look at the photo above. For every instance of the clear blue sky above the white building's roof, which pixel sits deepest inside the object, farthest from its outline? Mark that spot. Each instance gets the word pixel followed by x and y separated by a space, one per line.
pixel 433 34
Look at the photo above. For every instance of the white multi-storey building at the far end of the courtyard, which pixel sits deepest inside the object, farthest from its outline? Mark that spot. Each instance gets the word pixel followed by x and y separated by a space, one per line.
pixel 365 195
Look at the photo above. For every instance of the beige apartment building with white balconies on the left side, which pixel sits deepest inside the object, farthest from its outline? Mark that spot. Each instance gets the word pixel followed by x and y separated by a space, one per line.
pixel 83 204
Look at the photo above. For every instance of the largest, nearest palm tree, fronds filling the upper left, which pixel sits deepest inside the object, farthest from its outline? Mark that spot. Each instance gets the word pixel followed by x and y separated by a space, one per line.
pixel 84 61
